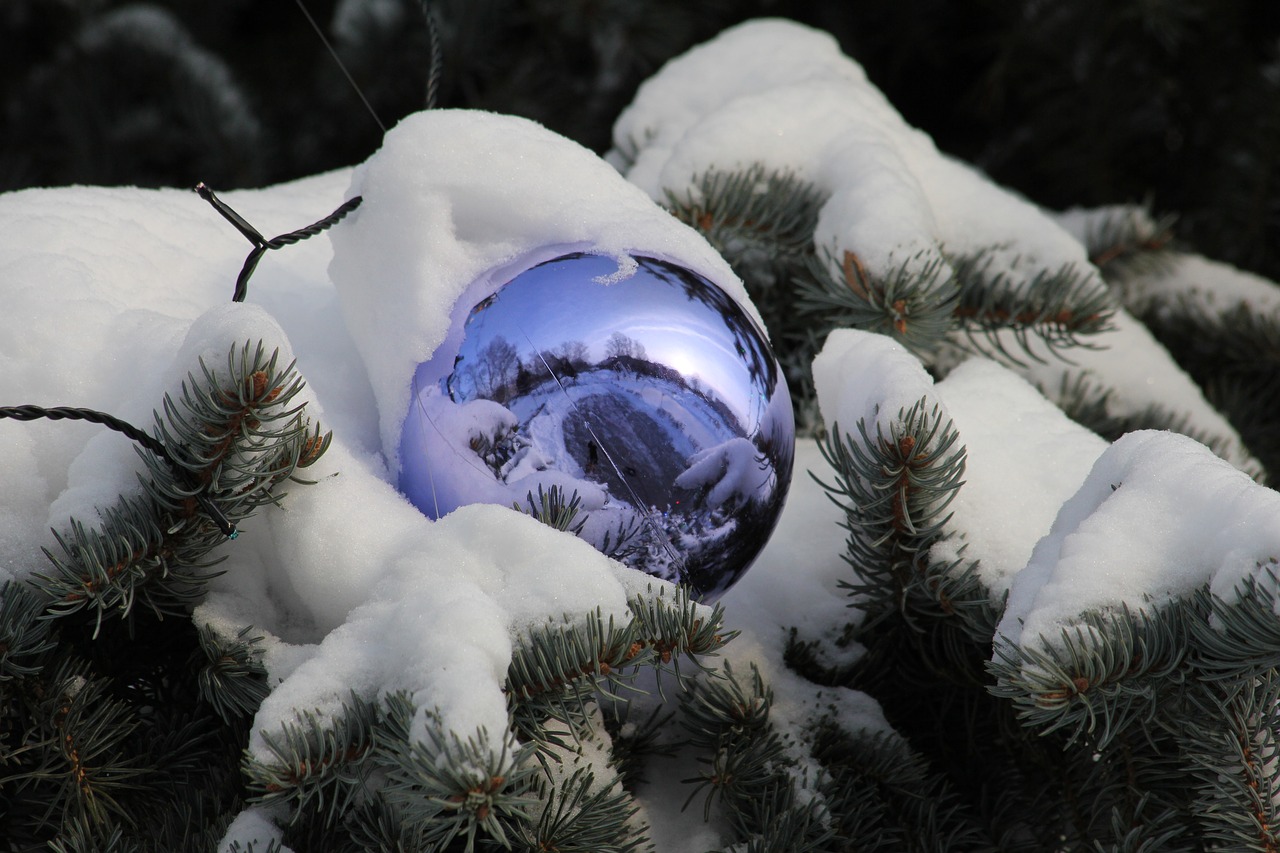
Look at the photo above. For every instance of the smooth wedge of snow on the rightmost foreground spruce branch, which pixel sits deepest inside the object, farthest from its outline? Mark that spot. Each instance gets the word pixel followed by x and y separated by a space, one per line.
pixel 1158 518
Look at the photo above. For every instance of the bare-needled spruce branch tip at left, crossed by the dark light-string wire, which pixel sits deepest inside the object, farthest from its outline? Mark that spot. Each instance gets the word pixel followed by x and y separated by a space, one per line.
pixel 231 441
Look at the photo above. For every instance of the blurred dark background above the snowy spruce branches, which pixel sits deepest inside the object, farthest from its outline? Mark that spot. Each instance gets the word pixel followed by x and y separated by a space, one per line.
pixel 1174 103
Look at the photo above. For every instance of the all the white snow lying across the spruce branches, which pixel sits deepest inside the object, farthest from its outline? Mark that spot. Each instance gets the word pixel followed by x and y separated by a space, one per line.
pixel 113 297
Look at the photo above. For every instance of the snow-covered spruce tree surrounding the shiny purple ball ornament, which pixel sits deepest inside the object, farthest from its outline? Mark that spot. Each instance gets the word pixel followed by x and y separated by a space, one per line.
pixel 1012 608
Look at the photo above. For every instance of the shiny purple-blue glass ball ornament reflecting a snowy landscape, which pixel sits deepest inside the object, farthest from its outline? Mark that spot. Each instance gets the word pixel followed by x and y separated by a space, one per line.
pixel 648 394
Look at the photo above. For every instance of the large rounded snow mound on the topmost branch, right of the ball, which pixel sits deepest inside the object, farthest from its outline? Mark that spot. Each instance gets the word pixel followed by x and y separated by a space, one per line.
pixel 783 95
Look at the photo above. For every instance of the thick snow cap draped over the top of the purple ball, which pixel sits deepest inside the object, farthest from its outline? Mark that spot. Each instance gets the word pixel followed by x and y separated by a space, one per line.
pixel 459 203
